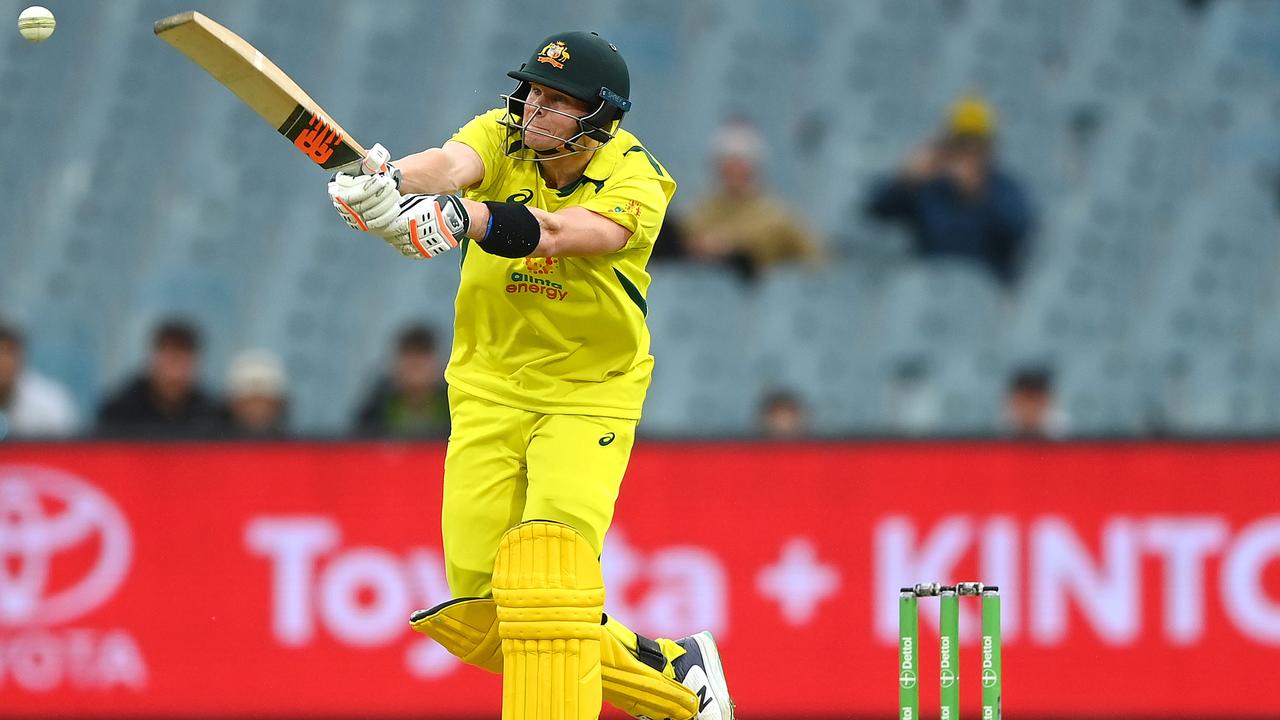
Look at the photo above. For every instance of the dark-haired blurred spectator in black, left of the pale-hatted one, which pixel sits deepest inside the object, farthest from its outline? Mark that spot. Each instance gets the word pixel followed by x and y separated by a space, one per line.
pixel 164 400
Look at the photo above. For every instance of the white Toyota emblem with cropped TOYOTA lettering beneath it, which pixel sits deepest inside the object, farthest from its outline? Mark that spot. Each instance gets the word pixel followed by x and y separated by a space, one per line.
pixel 65 552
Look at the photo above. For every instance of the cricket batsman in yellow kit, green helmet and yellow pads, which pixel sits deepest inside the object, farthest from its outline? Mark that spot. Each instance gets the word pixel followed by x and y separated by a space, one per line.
pixel 554 211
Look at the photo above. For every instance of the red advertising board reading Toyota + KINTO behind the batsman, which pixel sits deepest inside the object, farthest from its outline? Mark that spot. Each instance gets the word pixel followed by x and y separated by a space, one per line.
pixel 181 580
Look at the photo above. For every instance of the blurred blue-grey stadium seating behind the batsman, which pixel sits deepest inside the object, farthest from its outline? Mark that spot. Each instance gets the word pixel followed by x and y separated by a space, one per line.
pixel 1146 131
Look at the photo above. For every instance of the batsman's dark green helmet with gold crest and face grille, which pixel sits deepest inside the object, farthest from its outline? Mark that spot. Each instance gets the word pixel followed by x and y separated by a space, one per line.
pixel 583 66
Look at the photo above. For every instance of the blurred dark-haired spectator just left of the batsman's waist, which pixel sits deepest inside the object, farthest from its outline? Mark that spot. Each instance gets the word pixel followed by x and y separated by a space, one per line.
pixel 414 400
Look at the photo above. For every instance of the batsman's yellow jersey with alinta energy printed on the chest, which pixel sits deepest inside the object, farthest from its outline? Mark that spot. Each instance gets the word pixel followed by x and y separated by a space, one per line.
pixel 560 335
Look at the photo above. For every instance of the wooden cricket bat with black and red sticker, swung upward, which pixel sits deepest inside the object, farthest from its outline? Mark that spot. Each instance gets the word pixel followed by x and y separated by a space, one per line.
pixel 264 88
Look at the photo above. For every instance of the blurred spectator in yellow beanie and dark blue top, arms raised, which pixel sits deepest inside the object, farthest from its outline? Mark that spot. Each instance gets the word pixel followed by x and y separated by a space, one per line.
pixel 956 199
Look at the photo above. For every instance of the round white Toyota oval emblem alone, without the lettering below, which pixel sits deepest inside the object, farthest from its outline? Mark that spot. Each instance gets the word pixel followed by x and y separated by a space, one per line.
pixel 65 548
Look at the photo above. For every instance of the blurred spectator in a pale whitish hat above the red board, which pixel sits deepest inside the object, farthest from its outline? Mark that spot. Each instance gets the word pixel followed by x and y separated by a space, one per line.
pixel 257 403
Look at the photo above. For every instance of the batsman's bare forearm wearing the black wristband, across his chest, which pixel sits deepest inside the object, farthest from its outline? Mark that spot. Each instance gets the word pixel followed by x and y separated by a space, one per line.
pixel 509 229
